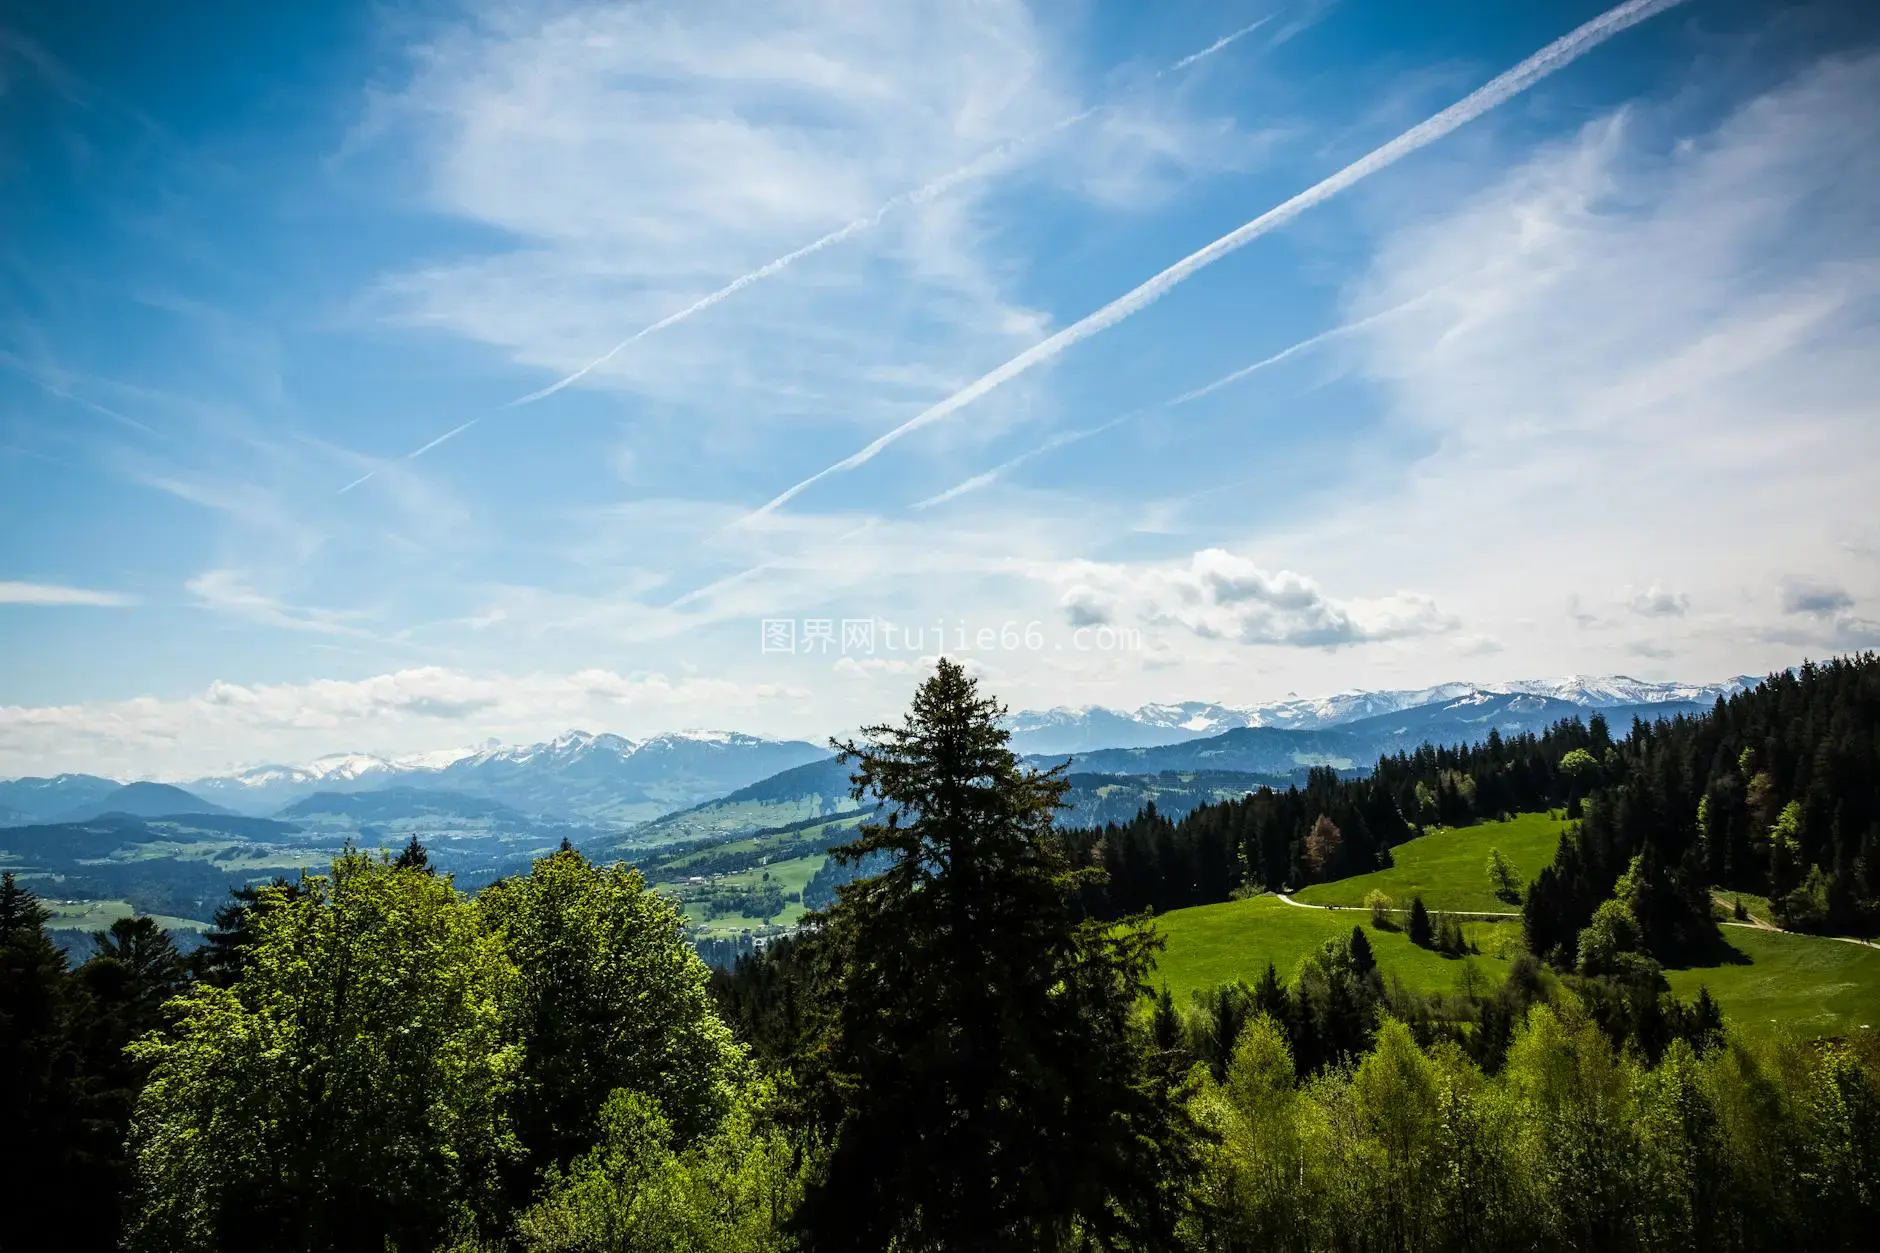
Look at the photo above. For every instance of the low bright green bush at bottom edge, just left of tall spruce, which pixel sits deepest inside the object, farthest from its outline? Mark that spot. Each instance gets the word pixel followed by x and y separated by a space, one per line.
pixel 640 1190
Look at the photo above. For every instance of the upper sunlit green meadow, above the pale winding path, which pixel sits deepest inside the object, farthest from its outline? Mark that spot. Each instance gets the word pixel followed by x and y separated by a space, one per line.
pixel 1449 868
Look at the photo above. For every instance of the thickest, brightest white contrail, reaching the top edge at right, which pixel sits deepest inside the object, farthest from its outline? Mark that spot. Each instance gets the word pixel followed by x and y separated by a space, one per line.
pixel 1559 54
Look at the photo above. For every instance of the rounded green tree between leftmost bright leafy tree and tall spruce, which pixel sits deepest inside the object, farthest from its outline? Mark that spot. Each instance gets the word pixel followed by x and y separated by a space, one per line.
pixel 610 996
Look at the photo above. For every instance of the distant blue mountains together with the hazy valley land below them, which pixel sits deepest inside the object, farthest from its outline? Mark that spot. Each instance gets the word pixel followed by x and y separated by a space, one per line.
pixel 486 814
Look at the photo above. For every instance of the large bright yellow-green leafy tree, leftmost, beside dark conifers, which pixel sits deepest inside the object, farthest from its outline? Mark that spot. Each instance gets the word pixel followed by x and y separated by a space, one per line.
pixel 349 1090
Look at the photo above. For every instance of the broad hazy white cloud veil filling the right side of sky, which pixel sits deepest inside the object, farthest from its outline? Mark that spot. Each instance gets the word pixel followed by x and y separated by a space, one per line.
pixel 1616 319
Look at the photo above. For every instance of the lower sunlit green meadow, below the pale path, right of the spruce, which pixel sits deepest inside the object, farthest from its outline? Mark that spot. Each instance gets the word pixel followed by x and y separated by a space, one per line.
pixel 1214 945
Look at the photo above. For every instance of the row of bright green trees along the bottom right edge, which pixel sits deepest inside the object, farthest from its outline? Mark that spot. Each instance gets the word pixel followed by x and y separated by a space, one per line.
pixel 1571 1147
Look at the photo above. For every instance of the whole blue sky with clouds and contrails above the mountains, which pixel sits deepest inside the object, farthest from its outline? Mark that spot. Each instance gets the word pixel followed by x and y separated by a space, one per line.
pixel 403 377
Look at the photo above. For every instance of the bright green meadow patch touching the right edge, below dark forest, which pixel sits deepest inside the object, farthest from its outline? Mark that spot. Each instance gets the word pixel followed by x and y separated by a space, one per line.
pixel 1809 983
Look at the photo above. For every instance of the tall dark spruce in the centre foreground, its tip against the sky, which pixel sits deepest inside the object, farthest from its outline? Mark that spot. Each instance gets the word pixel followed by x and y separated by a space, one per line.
pixel 992 1090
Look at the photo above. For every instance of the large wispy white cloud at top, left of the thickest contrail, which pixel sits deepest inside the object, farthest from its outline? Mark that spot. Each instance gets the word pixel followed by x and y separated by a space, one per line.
pixel 651 161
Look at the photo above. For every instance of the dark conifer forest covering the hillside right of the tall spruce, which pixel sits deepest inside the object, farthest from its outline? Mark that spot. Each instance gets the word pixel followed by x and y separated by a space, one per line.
pixel 1776 791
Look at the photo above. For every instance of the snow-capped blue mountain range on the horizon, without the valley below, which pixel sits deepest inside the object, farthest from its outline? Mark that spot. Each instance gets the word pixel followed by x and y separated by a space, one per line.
pixel 697 785
